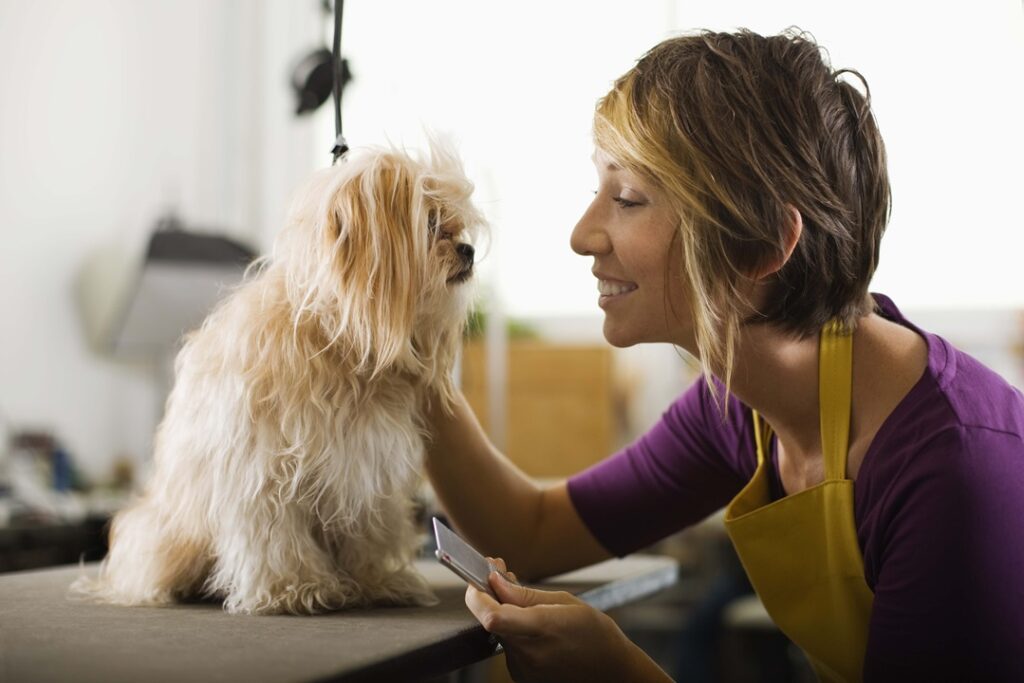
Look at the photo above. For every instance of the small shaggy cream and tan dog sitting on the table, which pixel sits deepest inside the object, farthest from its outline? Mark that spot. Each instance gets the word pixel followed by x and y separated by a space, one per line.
pixel 292 445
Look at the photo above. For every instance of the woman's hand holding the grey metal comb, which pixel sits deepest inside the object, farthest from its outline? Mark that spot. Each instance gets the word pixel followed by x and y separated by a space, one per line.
pixel 554 636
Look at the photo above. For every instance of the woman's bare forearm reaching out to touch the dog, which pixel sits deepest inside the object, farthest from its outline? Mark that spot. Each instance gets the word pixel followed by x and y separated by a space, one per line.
pixel 500 509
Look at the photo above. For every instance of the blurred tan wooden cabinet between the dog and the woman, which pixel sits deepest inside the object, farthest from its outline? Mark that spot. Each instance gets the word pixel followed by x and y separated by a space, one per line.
pixel 561 404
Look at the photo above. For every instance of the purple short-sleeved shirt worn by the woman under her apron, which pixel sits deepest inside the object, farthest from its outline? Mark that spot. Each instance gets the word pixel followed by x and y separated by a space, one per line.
pixel 938 504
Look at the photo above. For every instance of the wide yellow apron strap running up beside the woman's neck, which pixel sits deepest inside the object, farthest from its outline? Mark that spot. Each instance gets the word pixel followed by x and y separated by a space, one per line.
pixel 835 385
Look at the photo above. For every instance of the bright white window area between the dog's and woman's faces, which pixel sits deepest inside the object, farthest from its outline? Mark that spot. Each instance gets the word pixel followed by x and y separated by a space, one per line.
pixel 516 84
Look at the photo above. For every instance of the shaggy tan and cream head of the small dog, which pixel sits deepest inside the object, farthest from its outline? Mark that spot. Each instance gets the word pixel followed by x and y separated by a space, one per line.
pixel 378 251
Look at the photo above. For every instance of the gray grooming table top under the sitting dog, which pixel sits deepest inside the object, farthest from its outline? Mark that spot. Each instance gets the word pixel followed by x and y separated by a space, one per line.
pixel 47 637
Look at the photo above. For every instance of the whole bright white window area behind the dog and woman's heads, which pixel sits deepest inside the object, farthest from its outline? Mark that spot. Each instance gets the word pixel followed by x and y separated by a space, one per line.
pixel 516 84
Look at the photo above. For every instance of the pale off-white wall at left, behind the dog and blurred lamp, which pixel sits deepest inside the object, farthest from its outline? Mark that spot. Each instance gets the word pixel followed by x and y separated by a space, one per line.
pixel 112 112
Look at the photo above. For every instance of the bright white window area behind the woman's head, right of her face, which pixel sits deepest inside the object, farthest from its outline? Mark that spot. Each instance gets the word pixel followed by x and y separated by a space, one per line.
pixel 946 79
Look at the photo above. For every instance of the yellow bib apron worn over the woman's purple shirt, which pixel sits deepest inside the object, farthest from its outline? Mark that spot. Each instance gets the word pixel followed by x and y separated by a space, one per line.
pixel 801 552
